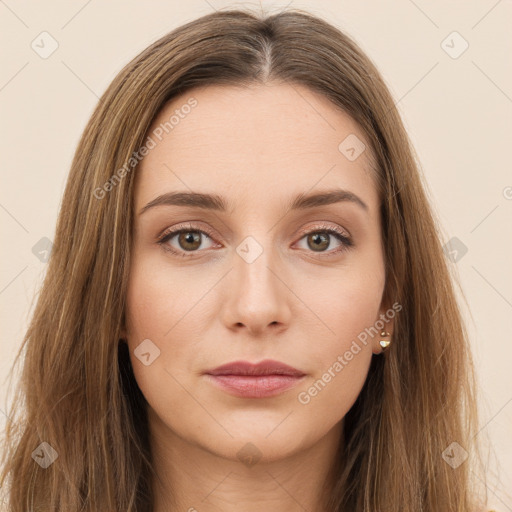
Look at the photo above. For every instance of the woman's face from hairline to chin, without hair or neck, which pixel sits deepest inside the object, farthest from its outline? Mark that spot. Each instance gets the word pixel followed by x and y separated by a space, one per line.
pixel 253 279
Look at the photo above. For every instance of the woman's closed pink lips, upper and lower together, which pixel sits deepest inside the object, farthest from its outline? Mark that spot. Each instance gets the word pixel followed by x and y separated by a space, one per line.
pixel 247 380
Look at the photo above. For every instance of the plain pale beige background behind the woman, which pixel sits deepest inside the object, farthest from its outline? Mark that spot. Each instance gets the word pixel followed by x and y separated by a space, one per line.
pixel 458 112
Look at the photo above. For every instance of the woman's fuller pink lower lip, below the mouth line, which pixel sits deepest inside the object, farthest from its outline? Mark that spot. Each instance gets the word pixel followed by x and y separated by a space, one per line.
pixel 261 386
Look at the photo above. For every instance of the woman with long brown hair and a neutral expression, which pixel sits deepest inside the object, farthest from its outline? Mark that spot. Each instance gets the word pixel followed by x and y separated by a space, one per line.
pixel 247 303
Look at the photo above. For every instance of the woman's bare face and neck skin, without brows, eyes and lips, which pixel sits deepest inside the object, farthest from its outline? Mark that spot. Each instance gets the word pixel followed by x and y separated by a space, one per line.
pixel 258 147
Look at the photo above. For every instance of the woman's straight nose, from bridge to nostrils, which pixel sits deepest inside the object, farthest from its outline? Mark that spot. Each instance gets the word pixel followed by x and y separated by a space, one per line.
pixel 257 297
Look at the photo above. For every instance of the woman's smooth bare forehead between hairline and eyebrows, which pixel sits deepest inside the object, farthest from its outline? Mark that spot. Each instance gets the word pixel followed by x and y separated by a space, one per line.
pixel 258 142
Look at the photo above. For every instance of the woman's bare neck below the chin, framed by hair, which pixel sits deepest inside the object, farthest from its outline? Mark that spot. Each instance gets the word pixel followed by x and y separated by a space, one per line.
pixel 193 478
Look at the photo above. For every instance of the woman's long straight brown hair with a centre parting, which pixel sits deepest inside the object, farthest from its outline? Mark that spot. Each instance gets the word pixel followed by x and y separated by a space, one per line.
pixel 77 392
